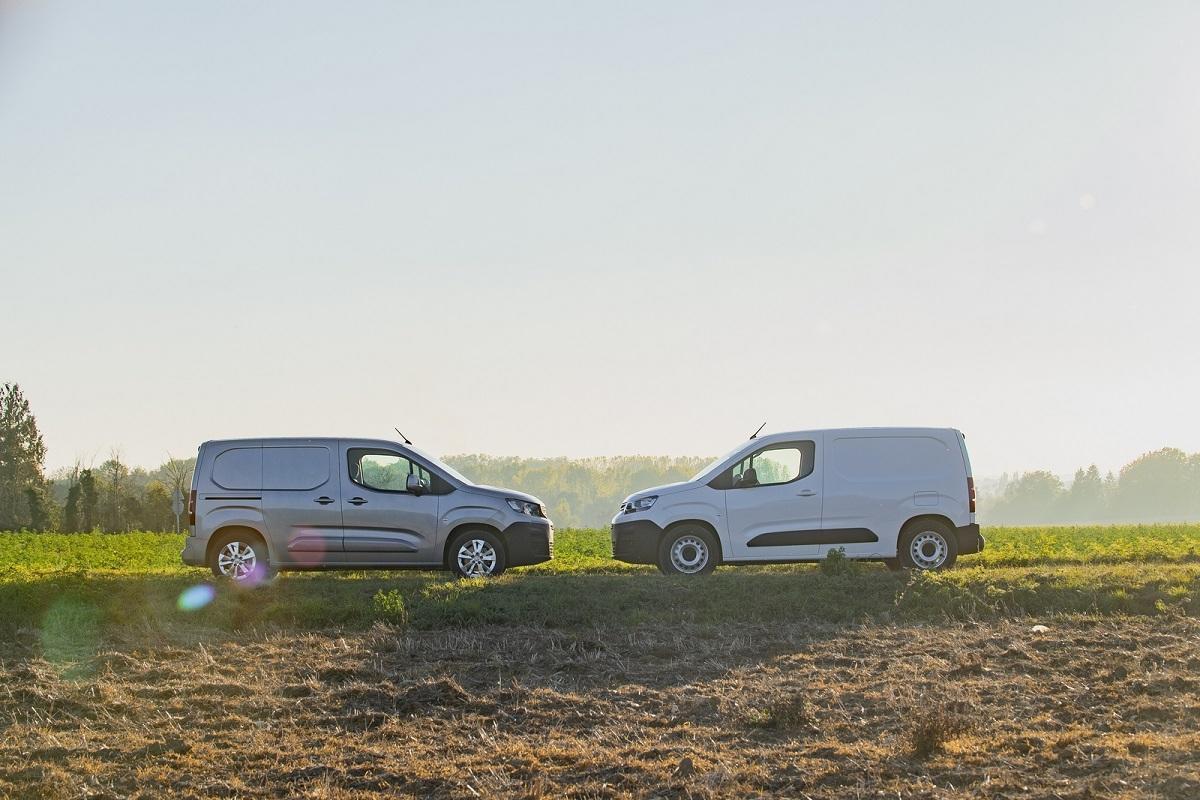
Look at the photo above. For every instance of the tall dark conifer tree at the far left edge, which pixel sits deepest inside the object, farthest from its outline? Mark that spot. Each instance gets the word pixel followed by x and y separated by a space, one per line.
pixel 22 456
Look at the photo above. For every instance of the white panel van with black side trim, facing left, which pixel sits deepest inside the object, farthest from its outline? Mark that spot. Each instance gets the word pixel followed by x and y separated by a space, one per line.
pixel 904 496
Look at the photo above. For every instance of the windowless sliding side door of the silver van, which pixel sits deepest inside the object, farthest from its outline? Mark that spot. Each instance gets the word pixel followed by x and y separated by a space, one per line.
pixel 302 502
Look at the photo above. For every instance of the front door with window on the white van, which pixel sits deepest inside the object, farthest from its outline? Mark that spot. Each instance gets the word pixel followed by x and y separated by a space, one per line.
pixel 773 502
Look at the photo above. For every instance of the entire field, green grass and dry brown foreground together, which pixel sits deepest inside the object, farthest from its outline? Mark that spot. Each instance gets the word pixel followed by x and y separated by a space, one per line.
pixel 595 679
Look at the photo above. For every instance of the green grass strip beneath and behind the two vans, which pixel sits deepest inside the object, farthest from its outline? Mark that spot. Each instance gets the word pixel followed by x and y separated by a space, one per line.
pixel 97 581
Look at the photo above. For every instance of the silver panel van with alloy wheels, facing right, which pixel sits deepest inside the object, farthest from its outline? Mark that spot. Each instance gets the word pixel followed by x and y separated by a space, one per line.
pixel 261 506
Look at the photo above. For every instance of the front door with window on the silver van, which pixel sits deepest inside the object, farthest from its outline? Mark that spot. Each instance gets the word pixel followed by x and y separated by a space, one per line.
pixel 385 524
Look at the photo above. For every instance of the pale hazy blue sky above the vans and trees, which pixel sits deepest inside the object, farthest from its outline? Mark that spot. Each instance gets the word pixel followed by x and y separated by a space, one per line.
pixel 602 228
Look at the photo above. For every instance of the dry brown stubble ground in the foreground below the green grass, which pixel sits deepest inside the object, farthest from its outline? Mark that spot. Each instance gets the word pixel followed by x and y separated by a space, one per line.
pixel 1095 707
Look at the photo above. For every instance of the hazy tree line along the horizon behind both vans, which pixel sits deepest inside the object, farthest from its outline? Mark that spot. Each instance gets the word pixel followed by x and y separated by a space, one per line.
pixel 1161 486
